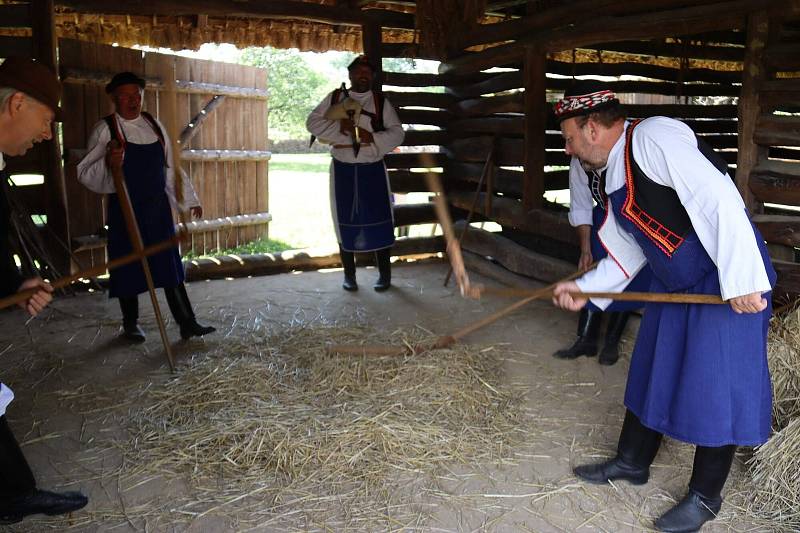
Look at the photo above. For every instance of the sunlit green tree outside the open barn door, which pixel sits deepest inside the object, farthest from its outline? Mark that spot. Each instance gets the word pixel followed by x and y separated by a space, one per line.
pixel 295 88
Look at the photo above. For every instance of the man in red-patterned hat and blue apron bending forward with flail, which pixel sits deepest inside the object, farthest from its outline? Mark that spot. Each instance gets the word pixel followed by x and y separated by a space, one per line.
pixel 698 373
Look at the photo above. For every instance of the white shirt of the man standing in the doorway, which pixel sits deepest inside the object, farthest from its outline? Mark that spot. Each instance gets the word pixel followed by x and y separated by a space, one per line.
pixel 384 141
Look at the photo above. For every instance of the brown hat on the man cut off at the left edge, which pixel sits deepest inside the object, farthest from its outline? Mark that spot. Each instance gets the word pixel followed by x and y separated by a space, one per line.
pixel 34 79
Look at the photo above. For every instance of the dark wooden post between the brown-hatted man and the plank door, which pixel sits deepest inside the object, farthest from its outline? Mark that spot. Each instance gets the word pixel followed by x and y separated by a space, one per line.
pixel 44 50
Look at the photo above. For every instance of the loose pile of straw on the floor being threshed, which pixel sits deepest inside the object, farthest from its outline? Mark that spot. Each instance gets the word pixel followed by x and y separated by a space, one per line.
pixel 276 429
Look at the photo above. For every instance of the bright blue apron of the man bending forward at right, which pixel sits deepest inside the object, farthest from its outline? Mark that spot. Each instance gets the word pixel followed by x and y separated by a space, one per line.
pixel 698 373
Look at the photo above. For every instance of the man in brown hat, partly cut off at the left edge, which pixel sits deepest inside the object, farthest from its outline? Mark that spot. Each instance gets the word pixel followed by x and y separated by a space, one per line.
pixel 29 94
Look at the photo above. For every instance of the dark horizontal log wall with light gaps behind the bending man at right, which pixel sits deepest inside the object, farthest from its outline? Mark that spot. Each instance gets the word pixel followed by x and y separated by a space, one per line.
pixel 490 109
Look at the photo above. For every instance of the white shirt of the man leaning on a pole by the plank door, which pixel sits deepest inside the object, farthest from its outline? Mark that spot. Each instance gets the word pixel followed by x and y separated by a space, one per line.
pixel 96 176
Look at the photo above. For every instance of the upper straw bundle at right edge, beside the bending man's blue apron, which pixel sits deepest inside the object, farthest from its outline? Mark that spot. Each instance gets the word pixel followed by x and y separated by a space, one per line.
pixel 784 363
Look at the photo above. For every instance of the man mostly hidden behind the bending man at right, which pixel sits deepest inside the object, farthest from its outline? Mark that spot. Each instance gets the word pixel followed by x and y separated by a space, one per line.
pixel 587 186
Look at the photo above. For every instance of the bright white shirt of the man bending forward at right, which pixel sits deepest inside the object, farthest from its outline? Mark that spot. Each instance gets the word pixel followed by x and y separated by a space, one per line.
pixel 666 151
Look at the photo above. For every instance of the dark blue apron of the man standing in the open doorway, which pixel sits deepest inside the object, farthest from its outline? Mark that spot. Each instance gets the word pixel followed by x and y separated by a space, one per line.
pixel 362 206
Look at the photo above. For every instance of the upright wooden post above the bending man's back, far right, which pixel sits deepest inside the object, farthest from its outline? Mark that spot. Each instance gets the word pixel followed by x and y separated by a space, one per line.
pixel 749 109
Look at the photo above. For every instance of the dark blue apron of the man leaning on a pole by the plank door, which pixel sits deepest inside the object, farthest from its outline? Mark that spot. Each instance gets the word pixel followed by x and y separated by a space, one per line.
pixel 145 178
